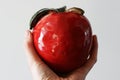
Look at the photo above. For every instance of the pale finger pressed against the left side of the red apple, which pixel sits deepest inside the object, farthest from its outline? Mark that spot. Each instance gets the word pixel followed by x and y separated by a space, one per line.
pixel 30 50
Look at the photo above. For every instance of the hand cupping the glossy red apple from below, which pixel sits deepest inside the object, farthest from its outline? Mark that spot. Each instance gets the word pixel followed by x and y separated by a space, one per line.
pixel 40 71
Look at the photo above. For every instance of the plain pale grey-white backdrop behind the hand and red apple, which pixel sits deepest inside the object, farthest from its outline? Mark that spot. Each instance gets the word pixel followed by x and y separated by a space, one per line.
pixel 104 16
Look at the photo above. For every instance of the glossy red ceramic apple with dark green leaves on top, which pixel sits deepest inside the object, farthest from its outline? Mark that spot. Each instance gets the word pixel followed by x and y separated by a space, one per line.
pixel 62 38
